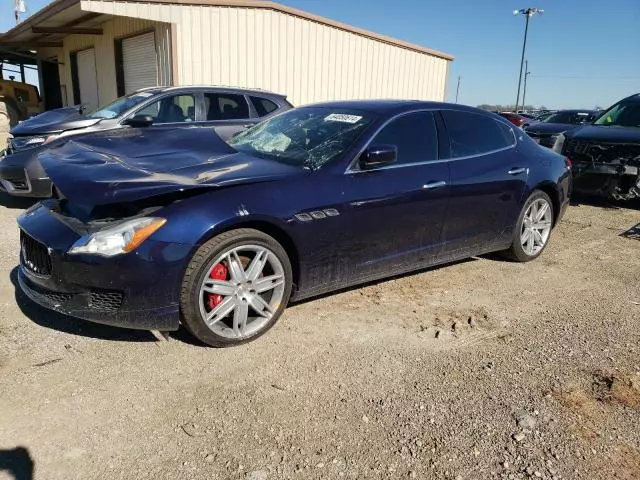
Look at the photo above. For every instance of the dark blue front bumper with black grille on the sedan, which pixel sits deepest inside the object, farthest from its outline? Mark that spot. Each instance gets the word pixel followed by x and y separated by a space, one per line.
pixel 137 290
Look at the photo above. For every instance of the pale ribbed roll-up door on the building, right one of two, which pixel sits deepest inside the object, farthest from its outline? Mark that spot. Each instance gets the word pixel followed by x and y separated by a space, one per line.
pixel 139 61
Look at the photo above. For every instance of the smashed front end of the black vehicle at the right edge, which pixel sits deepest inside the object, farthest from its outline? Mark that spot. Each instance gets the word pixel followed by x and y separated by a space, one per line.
pixel 611 170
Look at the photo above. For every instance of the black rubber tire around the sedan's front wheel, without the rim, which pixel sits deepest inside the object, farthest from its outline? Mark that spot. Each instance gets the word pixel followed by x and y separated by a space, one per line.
pixel 197 270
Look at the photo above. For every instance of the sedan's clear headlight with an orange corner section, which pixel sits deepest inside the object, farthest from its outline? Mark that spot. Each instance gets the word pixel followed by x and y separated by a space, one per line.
pixel 122 238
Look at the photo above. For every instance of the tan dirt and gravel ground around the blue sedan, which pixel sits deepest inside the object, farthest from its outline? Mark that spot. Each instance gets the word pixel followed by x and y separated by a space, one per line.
pixel 478 370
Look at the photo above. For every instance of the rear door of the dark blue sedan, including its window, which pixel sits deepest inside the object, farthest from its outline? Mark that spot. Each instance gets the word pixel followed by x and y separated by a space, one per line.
pixel 488 178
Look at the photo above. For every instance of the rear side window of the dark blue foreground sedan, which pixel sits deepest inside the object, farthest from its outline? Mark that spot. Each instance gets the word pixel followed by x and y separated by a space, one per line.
pixel 473 134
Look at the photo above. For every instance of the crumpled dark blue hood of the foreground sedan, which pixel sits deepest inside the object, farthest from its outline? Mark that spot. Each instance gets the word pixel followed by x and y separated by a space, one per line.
pixel 129 166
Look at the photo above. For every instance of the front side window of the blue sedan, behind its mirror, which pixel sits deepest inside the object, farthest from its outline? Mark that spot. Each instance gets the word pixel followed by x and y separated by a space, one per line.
pixel 414 135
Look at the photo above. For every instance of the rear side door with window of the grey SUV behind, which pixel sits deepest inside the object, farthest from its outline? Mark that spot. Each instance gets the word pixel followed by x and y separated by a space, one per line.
pixel 227 113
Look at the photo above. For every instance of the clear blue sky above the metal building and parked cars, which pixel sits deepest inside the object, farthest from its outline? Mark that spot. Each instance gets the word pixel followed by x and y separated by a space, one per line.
pixel 581 53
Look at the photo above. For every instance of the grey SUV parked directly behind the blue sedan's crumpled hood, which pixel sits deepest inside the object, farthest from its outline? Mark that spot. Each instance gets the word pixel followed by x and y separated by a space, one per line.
pixel 226 110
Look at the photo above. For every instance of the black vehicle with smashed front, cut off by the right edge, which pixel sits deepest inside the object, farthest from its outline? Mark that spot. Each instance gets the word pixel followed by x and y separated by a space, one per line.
pixel 606 154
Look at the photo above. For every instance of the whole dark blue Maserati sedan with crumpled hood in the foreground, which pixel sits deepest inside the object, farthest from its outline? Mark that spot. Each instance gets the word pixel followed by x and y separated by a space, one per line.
pixel 157 228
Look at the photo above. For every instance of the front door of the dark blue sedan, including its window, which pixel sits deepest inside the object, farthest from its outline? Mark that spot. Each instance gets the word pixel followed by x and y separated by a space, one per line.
pixel 393 215
